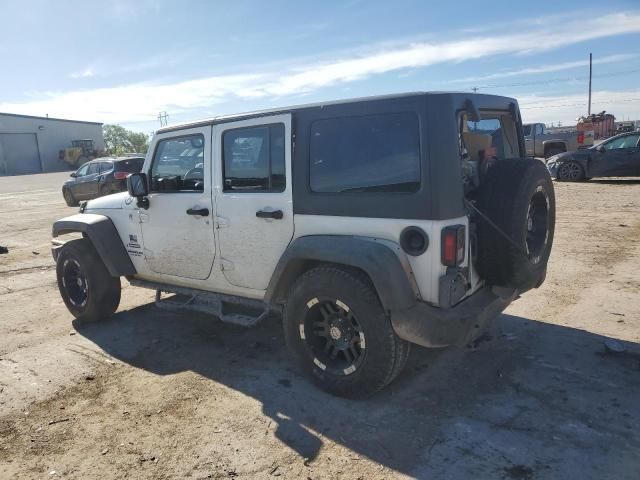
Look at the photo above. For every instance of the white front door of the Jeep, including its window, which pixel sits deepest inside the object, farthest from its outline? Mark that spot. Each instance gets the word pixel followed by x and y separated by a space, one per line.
pixel 177 228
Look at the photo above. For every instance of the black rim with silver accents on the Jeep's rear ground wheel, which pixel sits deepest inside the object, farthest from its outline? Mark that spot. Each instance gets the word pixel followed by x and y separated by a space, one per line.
pixel 333 336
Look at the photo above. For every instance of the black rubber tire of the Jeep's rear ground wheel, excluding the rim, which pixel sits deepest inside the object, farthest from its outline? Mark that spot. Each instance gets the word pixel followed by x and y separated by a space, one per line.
pixel 385 354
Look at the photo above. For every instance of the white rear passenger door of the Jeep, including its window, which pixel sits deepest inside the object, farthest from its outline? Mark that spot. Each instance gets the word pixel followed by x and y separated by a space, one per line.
pixel 253 199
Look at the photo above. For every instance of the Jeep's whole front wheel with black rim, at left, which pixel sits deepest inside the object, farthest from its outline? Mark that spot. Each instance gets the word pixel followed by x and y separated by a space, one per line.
pixel 86 287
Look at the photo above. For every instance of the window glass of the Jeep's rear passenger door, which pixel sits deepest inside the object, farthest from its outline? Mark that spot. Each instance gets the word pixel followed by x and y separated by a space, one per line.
pixel 254 159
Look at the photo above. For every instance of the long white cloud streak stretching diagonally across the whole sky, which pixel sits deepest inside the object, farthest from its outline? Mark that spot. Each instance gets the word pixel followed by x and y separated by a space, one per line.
pixel 142 101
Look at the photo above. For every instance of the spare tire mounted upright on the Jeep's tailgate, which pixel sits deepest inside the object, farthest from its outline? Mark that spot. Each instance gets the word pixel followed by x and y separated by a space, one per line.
pixel 516 222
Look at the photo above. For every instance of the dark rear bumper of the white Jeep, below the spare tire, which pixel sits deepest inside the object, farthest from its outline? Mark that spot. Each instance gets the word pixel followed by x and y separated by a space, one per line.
pixel 437 327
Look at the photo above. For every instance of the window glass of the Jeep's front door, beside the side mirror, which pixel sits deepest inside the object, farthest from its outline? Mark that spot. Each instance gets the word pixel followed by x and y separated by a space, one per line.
pixel 178 164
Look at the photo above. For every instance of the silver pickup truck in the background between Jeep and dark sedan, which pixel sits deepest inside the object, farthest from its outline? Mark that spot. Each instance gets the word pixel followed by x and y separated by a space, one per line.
pixel 543 142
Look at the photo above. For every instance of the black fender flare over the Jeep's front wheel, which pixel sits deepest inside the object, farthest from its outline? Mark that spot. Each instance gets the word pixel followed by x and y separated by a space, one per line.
pixel 104 237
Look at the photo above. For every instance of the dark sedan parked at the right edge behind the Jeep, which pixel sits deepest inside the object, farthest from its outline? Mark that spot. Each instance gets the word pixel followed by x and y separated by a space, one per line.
pixel 618 156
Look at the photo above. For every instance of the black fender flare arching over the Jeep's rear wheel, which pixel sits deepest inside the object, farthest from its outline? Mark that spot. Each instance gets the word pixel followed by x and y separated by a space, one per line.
pixel 375 258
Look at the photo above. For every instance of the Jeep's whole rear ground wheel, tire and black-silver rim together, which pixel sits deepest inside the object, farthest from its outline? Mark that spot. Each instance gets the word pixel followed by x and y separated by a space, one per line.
pixel 339 333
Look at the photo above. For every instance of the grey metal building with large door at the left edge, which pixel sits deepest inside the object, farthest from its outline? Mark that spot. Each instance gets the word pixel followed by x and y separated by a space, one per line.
pixel 32 144
